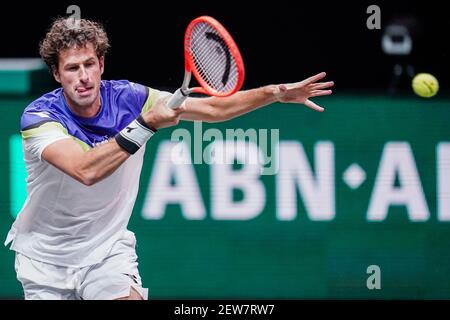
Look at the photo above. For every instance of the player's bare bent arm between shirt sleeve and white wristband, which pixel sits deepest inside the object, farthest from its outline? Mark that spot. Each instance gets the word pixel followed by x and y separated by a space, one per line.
pixel 88 167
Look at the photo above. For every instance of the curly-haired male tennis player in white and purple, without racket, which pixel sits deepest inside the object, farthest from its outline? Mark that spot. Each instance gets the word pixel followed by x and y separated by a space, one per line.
pixel 83 147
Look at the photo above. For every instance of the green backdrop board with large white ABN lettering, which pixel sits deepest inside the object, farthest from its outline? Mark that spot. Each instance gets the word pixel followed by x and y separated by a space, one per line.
pixel 365 183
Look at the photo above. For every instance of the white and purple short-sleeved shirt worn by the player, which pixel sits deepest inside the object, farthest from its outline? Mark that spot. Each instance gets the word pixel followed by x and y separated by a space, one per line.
pixel 63 221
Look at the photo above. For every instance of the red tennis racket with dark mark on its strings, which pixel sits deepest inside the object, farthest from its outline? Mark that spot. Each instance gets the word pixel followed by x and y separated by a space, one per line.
pixel 211 54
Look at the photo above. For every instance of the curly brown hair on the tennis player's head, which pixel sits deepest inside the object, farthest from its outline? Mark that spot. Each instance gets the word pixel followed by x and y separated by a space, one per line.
pixel 66 33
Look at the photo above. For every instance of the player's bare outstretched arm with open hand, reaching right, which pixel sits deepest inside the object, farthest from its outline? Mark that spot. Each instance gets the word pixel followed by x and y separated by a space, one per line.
pixel 216 109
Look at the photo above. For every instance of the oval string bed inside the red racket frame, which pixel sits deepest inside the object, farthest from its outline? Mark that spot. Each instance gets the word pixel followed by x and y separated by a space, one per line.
pixel 212 58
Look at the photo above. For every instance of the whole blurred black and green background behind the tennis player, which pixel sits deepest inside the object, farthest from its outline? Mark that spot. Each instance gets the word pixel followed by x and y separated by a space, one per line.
pixel 366 183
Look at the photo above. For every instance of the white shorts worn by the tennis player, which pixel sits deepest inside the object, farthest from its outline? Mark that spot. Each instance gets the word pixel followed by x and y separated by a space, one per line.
pixel 111 279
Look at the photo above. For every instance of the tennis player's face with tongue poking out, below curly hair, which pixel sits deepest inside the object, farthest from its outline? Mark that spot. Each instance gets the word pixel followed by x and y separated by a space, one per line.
pixel 79 72
